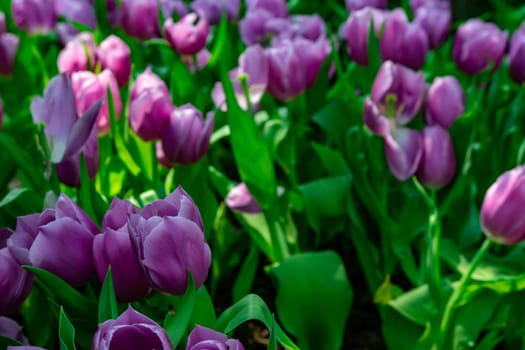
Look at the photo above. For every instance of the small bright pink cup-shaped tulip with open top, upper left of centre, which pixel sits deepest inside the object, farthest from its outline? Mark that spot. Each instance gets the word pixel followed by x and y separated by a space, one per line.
pixel 188 36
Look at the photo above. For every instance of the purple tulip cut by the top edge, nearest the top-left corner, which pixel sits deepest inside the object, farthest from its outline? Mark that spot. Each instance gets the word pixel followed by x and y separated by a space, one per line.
pixel 34 16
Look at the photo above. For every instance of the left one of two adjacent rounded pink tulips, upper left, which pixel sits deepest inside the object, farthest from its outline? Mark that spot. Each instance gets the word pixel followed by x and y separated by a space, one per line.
pixel 78 55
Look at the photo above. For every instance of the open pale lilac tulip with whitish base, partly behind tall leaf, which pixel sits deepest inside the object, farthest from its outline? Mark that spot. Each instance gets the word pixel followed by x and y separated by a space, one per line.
pixel 253 65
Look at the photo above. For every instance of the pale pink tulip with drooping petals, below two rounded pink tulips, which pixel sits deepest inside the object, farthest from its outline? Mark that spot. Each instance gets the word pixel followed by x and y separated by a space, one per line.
pixel 90 88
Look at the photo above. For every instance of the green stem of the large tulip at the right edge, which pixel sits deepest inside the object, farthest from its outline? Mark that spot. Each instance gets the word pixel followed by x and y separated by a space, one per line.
pixel 460 289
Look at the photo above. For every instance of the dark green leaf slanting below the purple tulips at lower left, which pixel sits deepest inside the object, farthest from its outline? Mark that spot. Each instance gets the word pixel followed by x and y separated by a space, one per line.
pixel 63 294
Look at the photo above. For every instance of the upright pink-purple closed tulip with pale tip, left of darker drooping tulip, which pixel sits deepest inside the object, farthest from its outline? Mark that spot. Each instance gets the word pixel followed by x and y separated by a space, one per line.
pixel 150 106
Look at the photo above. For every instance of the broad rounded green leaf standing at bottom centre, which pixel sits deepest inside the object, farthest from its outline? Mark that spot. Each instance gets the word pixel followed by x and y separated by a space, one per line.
pixel 314 298
